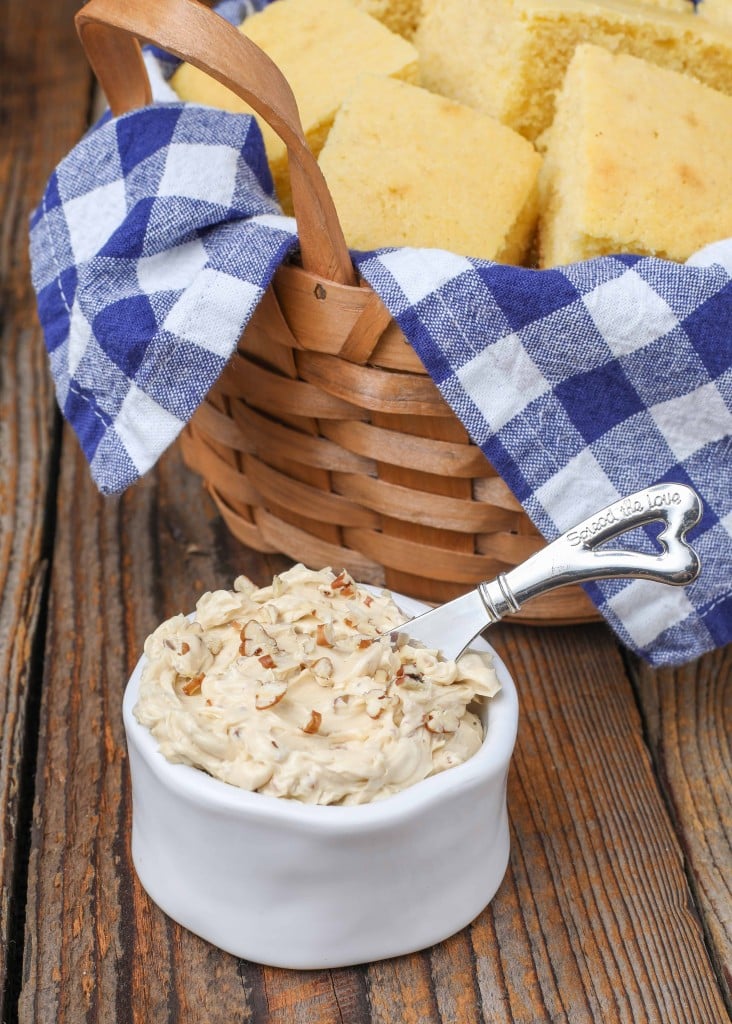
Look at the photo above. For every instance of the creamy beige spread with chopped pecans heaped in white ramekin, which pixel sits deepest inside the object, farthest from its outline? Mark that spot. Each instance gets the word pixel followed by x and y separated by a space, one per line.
pixel 290 691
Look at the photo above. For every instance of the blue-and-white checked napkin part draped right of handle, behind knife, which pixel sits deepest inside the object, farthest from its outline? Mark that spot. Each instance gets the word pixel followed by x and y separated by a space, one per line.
pixel 582 386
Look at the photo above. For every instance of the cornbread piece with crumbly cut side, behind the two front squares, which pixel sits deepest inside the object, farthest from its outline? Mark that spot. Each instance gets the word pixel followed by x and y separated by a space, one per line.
pixel 509 58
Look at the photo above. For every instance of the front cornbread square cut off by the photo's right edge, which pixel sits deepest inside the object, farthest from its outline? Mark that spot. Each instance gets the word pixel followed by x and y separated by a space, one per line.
pixel 638 160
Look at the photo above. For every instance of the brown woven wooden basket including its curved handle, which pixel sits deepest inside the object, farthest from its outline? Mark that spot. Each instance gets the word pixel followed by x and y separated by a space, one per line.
pixel 325 439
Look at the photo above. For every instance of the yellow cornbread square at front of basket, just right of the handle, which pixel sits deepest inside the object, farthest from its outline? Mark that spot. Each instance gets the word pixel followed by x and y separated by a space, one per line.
pixel 407 167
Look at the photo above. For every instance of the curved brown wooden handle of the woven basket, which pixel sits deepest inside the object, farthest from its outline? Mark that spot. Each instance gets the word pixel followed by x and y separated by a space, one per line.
pixel 111 33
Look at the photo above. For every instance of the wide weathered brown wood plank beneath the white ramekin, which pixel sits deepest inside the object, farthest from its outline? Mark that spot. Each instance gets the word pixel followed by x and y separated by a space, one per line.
pixel 594 922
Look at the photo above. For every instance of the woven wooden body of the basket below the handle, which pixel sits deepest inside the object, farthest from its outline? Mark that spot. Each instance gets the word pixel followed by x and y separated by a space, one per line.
pixel 325 440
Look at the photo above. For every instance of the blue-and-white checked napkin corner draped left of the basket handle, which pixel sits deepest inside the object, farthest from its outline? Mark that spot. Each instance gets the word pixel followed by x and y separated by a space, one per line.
pixel 156 238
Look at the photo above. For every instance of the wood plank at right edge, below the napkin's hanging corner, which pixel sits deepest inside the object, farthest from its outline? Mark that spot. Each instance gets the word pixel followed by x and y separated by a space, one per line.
pixel 688 718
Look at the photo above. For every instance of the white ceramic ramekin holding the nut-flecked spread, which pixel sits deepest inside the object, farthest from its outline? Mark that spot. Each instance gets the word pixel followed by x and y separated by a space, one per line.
pixel 298 886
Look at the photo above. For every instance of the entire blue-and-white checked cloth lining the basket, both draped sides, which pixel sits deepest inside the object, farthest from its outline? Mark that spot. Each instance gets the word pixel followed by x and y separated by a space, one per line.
pixel 158 235
